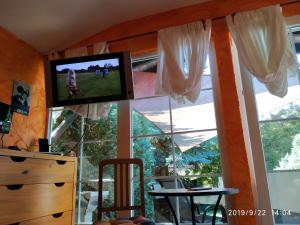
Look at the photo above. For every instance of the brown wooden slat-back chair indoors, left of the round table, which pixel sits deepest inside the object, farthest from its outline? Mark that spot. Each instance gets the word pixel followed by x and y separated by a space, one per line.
pixel 121 192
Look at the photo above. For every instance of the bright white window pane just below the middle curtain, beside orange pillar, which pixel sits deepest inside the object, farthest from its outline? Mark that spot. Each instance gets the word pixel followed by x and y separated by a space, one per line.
pixel 197 116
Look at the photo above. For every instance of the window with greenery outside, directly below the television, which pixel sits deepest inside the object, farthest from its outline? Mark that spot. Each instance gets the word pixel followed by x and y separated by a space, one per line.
pixel 91 140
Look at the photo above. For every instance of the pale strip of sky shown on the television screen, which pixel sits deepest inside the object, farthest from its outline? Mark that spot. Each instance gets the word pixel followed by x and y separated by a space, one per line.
pixel 85 65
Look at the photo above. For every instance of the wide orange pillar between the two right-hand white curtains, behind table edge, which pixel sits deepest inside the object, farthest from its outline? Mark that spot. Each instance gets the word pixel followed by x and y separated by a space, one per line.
pixel 235 165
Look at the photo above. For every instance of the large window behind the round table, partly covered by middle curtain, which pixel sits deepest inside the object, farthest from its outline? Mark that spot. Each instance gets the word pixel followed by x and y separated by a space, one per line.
pixel 175 141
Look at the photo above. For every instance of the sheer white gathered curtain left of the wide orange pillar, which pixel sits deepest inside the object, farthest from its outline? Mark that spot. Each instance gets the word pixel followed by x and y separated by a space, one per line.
pixel 182 54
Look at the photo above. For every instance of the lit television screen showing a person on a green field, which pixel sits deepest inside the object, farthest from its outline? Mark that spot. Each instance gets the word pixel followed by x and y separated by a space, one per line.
pixel 90 79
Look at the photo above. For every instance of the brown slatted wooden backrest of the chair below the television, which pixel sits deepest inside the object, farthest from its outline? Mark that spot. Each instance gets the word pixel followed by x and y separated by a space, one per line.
pixel 121 173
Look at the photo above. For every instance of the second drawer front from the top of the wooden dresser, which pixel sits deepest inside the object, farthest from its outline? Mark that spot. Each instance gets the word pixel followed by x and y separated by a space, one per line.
pixel 33 201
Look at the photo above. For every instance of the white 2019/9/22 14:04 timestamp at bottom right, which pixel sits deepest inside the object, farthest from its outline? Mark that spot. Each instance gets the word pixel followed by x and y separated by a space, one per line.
pixel 257 212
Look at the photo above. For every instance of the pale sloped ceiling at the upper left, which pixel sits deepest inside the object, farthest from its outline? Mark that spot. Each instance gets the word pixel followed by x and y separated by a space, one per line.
pixel 55 24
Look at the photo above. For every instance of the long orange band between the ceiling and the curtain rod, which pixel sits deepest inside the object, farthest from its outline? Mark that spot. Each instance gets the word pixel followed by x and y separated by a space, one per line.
pixel 148 24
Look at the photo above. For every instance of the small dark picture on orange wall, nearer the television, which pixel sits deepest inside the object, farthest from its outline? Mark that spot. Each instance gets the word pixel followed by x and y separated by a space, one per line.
pixel 21 97
